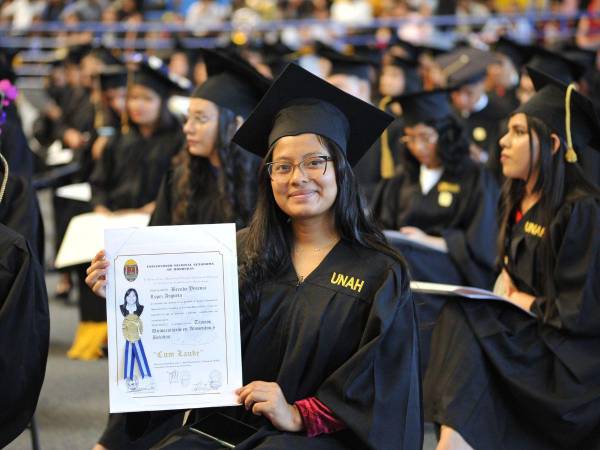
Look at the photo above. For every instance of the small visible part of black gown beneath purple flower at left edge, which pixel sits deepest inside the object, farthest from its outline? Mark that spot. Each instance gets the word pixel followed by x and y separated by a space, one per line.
pixel 20 211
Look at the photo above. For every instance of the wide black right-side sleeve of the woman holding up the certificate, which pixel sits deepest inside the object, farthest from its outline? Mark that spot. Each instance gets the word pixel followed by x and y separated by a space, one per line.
pixel 377 392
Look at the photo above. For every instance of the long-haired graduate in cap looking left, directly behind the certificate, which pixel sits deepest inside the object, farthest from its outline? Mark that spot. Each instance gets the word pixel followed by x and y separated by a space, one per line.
pixel 212 180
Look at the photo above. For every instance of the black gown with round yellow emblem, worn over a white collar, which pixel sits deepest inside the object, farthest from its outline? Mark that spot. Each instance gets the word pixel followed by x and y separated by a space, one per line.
pixel 459 208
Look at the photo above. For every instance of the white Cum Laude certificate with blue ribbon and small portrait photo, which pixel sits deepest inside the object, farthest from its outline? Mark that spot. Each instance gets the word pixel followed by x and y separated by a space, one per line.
pixel 173 317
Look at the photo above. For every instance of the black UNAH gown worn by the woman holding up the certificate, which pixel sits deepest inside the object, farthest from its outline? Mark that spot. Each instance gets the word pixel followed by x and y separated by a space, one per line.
pixel 355 348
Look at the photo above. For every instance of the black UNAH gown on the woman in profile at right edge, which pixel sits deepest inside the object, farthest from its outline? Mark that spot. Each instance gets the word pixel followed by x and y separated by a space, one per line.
pixel 506 380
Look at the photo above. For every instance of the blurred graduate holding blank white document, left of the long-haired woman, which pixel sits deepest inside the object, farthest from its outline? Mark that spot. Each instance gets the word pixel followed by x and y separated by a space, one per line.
pixel 126 179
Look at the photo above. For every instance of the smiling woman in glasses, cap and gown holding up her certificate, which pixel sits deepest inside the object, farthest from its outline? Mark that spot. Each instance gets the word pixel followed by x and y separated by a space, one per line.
pixel 329 335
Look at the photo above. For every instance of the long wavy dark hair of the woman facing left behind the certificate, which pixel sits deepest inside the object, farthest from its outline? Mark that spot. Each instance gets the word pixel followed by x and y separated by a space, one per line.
pixel 236 180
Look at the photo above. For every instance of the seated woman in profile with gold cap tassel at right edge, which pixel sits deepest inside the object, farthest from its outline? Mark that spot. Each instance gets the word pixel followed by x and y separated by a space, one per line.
pixel 498 377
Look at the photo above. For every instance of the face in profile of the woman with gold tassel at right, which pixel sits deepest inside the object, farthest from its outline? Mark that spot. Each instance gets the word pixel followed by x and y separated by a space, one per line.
pixel 515 156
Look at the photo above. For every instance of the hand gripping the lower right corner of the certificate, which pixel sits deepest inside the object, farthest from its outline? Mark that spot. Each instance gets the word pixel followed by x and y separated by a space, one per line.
pixel 267 399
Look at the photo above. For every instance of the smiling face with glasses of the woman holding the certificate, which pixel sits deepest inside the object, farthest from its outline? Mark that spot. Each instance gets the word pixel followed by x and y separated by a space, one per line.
pixel 304 194
